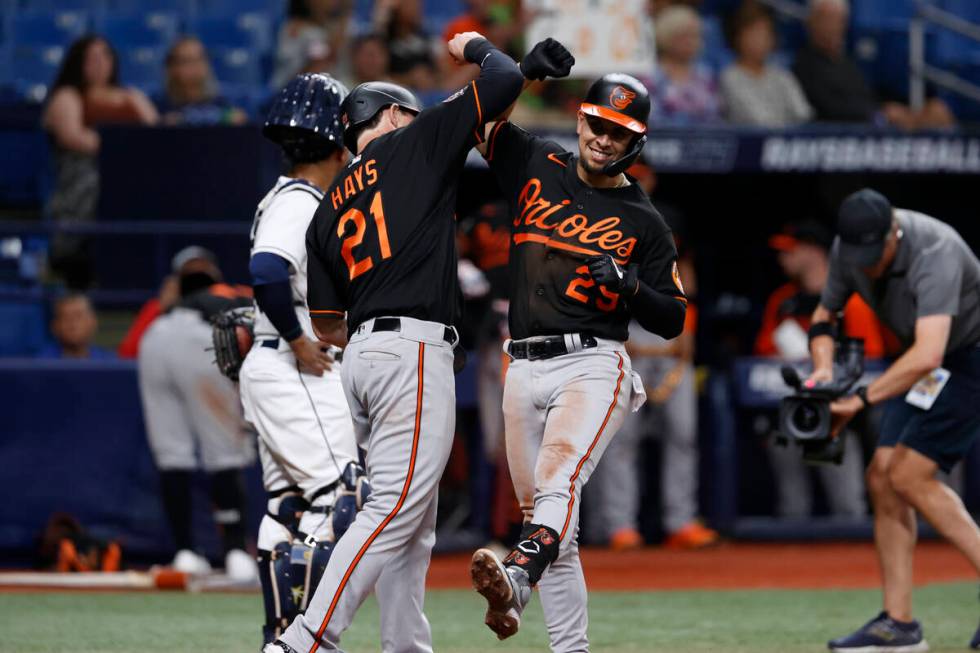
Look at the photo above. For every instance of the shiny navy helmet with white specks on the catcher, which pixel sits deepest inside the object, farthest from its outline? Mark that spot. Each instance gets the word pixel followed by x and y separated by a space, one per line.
pixel 305 117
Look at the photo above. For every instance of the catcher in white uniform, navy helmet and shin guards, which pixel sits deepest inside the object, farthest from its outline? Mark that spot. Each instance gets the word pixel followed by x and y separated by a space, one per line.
pixel 290 386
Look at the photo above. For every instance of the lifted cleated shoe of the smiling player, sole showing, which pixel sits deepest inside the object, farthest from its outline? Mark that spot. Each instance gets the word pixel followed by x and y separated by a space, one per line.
pixel 506 589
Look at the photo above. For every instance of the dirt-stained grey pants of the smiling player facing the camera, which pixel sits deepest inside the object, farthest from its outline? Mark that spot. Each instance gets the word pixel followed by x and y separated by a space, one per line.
pixel 560 415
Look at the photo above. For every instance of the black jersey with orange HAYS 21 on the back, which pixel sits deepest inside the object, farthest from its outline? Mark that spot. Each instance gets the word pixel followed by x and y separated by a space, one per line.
pixel 383 241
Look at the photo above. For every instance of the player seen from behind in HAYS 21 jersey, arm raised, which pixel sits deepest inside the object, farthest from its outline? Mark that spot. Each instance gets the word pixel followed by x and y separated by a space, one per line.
pixel 382 250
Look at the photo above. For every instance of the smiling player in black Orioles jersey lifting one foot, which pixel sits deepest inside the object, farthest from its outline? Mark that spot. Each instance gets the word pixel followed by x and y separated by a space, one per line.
pixel 588 252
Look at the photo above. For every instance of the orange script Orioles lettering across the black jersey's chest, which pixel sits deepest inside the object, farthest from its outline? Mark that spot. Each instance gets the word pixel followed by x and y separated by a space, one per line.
pixel 534 211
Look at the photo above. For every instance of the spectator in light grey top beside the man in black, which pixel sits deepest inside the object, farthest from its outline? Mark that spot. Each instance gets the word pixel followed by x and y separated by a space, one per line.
pixel 755 91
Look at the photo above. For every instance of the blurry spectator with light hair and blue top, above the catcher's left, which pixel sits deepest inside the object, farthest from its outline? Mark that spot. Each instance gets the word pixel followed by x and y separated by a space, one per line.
pixel 190 90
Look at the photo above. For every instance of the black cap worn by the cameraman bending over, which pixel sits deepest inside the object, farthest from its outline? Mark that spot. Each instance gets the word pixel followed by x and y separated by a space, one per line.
pixel 863 223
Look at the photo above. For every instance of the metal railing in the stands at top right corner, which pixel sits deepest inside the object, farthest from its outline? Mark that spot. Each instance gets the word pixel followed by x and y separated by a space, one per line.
pixel 920 72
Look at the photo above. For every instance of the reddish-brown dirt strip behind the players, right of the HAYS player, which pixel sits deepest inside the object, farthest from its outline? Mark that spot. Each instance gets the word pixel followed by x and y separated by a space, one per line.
pixel 737 566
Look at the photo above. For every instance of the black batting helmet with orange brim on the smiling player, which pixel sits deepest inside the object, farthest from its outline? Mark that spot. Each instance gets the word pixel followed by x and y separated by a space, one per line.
pixel 625 101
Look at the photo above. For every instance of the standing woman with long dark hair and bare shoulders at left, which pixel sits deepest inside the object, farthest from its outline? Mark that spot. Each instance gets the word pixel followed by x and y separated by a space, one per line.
pixel 85 94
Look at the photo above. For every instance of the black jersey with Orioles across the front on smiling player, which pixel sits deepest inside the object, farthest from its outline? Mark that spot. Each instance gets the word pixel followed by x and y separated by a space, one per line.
pixel 559 221
